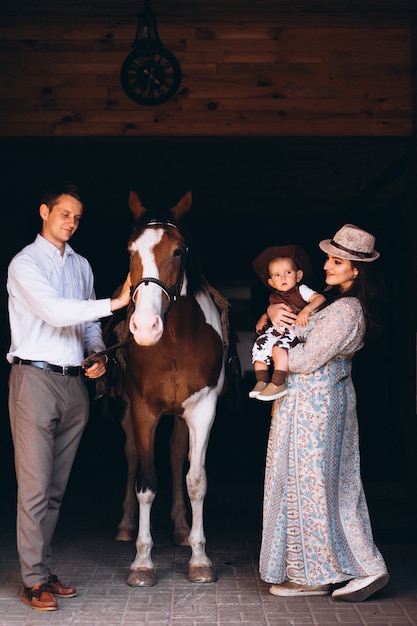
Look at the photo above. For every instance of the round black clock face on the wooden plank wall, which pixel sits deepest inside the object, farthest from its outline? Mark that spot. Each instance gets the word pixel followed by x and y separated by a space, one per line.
pixel 151 79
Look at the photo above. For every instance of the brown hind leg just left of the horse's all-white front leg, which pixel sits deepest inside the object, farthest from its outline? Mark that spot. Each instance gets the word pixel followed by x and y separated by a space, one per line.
pixel 178 454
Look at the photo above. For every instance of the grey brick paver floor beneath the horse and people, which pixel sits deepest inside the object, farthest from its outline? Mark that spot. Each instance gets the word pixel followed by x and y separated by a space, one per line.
pixel 87 556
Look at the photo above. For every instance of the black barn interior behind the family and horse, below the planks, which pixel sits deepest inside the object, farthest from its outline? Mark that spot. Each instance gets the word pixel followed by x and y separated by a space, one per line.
pixel 248 193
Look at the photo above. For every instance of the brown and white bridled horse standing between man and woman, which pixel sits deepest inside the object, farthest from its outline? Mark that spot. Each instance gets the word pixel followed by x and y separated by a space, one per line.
pixel 174 366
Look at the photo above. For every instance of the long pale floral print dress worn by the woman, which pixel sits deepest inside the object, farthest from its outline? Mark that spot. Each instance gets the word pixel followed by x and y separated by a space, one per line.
pixel 316 526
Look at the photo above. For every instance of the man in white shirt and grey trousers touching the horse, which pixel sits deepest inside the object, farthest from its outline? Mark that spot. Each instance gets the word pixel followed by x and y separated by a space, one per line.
pixel 54 323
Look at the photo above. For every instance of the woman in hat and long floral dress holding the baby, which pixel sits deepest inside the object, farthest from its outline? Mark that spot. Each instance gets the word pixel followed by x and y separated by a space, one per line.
pixel 316 527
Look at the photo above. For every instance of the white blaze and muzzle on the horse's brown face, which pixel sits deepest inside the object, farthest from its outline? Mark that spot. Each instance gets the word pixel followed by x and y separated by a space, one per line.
pixel 146 323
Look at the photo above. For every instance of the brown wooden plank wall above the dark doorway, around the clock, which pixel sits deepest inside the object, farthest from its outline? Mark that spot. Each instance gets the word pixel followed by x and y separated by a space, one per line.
pixel 244 73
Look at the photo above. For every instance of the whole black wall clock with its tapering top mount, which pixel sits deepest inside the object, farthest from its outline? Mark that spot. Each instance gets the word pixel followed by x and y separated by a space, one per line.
pixel 150 74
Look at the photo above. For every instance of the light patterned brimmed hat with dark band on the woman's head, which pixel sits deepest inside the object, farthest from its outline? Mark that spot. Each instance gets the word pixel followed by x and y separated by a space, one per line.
pixel 351 243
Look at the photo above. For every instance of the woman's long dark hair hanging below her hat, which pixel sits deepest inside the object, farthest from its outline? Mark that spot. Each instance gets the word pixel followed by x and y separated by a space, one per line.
pixel 370 290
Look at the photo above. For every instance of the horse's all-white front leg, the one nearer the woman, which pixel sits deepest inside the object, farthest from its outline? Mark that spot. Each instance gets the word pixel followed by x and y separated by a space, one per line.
pixel 199 421
